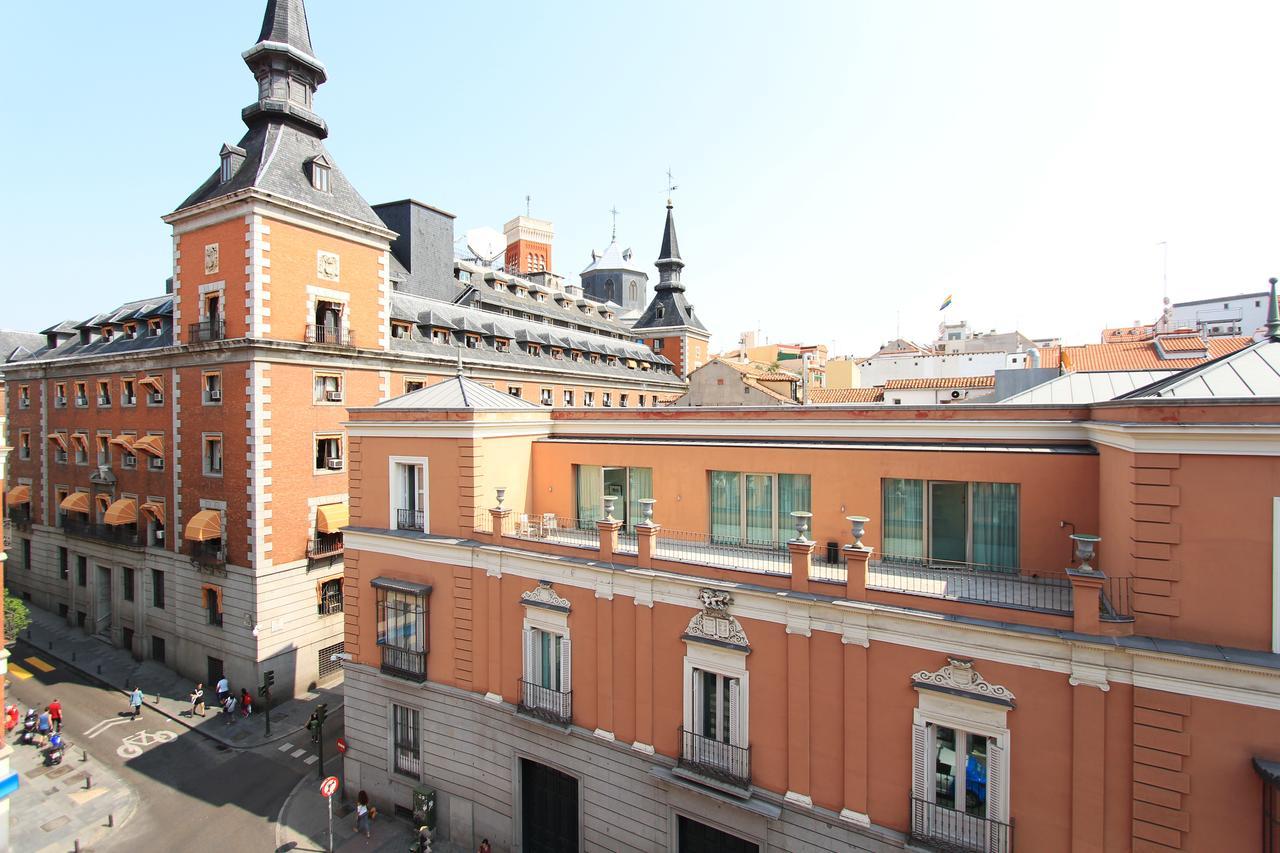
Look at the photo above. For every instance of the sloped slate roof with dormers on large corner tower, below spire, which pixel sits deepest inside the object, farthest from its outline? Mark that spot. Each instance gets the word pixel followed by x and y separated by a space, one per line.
pixel 276 161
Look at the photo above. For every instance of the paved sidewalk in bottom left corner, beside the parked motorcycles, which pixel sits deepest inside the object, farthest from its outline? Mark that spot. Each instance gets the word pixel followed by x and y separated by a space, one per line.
pixel 53 810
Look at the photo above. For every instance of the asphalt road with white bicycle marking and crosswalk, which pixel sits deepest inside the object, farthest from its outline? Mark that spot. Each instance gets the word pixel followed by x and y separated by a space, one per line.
pixel 194 793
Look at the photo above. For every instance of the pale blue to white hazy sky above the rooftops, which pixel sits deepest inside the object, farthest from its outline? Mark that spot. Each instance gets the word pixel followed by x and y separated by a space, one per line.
pixel 843 167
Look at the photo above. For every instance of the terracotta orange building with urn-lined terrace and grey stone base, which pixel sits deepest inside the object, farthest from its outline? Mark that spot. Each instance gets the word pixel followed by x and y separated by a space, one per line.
pixel 851 628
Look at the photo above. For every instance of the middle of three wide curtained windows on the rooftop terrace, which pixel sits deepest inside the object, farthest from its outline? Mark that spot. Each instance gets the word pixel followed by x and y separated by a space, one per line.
pixel 757 508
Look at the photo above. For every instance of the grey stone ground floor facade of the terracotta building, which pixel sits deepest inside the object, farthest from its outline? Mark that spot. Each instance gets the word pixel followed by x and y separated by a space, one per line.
pixel 488 767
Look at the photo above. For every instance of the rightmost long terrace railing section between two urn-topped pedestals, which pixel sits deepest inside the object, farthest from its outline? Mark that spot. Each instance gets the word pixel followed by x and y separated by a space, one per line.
pixel 1044 591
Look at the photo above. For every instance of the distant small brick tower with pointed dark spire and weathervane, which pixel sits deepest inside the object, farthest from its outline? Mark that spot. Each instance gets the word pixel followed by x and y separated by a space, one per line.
pixel 669 326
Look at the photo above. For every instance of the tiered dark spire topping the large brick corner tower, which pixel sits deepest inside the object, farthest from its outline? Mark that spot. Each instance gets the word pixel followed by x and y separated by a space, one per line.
pixel 286 69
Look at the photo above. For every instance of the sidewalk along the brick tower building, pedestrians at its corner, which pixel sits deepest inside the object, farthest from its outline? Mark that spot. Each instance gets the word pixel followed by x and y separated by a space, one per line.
pixel 168 692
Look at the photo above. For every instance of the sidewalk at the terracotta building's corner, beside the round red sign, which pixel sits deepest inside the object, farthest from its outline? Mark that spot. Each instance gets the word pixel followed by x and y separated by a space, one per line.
pixel 303 827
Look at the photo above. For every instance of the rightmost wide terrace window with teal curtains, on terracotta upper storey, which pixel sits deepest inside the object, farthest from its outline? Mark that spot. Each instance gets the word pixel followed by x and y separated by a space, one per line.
pixel 950 523
